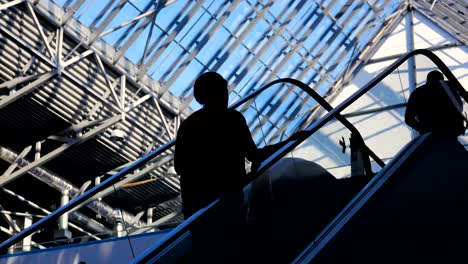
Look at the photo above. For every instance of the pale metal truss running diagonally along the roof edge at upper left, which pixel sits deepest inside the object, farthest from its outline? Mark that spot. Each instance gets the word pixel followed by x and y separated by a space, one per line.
pixel 121 104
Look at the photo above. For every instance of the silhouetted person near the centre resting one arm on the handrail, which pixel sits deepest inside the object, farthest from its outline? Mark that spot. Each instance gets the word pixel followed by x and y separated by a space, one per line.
pixel 211 148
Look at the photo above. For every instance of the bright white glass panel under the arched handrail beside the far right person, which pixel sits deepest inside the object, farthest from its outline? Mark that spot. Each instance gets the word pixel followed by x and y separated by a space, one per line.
pixel 379 114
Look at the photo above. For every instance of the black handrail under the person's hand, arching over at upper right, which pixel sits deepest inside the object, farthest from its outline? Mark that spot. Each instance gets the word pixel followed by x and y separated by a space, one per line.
pixel 148 255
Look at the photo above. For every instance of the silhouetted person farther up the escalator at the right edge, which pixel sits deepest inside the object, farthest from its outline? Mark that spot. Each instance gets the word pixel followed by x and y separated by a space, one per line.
pixel 430 108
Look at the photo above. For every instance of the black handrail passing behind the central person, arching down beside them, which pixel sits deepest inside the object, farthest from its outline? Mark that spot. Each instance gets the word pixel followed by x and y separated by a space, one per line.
pixel 121 174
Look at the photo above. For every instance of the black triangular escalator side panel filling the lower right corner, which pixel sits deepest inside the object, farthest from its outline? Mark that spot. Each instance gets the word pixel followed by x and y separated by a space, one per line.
pixel 419 215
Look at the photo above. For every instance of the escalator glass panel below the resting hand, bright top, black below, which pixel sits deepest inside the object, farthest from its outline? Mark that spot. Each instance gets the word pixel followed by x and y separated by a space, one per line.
pixel 290 203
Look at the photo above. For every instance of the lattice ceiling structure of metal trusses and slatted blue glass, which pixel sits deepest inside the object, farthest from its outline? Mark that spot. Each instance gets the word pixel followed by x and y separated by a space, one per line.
pixel 73 73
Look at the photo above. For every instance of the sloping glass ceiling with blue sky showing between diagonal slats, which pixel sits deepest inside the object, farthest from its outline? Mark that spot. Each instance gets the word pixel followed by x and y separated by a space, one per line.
pixel 250 43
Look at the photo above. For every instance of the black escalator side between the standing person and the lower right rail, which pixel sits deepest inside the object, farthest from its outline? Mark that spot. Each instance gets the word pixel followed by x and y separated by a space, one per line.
pixel 298 204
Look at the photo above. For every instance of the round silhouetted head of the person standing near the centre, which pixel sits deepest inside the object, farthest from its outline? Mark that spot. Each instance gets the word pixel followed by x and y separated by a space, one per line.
pixel 210 89
